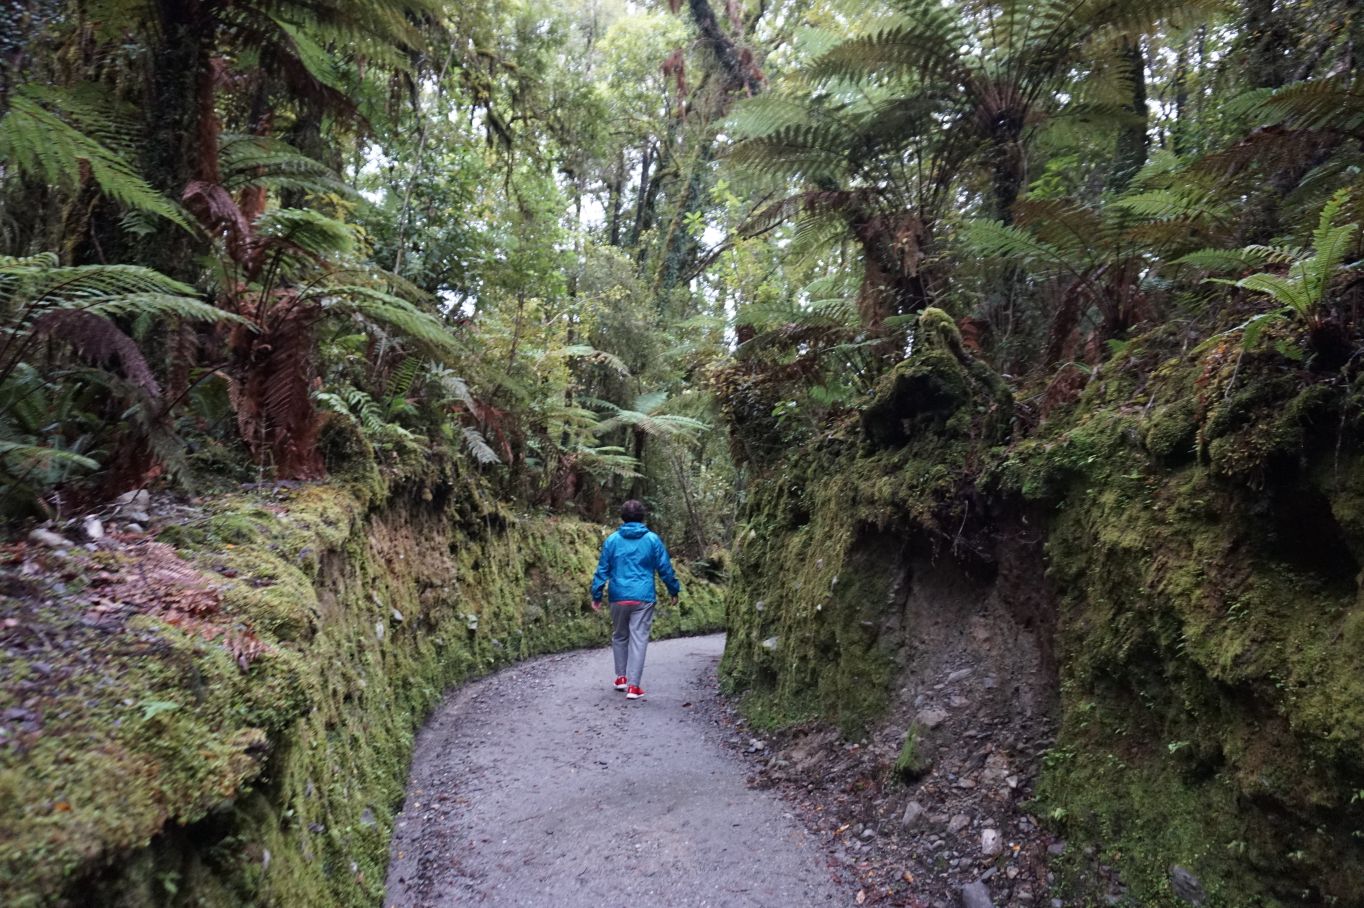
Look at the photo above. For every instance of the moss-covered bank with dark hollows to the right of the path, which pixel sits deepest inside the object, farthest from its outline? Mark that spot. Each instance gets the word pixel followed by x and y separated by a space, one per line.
pixel 1200 538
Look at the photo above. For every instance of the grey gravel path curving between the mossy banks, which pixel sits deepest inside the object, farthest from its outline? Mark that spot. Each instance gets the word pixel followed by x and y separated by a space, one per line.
pixel 542 786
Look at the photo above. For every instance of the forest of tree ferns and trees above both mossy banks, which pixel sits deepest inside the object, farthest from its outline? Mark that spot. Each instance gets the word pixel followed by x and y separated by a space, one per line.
pixel 561 243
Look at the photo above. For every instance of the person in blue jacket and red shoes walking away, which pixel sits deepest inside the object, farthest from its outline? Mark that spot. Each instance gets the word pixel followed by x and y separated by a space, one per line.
pixel 631 557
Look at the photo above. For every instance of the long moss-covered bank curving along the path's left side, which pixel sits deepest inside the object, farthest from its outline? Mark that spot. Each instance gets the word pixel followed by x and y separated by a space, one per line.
pixel 158 771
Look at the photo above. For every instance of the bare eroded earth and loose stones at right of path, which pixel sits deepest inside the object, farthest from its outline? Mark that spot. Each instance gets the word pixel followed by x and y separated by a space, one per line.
pixel 980 699
